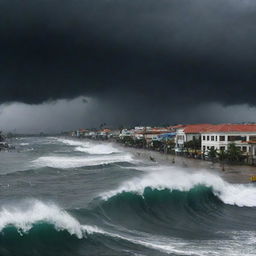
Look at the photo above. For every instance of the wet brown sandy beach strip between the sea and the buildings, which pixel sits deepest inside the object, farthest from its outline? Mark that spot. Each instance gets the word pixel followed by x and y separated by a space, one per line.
pixel 239 174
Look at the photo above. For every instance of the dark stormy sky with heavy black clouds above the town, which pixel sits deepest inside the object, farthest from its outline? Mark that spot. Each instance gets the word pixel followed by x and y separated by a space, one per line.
pixel 78 62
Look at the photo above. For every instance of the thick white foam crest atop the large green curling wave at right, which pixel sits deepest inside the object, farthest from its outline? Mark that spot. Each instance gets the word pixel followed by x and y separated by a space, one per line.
pixel 176 178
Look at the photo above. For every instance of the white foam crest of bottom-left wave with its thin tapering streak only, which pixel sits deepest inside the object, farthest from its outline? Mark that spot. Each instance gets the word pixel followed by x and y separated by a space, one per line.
pixel 32 212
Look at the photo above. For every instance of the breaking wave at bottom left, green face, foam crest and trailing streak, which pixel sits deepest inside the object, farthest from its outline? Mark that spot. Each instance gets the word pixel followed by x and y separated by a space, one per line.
pixel 34 224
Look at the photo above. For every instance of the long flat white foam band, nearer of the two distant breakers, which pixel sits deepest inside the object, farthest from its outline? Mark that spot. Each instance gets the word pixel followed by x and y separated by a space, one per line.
pixel 78 161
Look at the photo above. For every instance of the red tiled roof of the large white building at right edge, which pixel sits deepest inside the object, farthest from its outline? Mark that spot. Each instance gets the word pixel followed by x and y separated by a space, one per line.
pixel 232 128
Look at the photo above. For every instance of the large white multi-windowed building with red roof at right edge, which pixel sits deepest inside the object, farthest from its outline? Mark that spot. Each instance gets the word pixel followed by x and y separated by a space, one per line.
pixel 220 136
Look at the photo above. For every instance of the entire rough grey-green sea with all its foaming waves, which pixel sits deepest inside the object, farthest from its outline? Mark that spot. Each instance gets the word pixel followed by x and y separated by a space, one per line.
pixel 66 197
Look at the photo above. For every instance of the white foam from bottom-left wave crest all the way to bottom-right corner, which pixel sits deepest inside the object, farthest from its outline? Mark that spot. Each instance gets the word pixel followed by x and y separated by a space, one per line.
pixel 32 212
